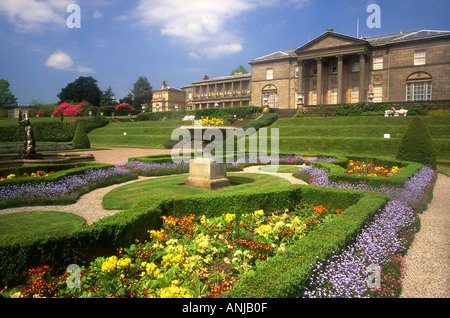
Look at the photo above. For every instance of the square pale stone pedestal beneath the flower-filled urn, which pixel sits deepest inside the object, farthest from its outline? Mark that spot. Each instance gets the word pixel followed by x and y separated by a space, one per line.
pixel 207 174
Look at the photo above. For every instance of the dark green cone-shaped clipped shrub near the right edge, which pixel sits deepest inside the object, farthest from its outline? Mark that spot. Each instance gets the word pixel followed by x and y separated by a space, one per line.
pixel 417 144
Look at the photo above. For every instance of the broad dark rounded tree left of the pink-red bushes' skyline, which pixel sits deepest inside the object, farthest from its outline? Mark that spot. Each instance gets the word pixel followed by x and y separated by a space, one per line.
pixel 83 89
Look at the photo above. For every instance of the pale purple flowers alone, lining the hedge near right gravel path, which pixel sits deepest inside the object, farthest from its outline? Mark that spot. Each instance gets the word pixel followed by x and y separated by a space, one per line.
pixel 345 274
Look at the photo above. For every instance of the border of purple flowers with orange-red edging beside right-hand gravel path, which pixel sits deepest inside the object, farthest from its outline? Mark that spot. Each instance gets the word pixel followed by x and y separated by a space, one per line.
pixel 382 243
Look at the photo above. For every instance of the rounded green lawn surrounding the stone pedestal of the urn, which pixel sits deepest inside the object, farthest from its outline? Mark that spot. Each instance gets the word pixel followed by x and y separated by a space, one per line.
pixel 173 186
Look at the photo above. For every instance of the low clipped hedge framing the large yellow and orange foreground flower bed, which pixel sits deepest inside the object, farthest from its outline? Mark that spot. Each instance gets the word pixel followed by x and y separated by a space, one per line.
pixel 276 278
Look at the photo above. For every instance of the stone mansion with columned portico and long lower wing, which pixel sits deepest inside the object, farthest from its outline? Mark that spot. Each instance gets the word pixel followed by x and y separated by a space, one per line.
pixel 331 69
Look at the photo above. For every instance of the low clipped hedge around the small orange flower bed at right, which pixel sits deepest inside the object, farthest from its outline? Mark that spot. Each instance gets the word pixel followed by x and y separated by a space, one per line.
pixel 337 172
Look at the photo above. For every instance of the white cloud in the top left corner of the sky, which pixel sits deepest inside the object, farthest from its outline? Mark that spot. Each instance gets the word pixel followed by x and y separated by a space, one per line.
pixel 32 15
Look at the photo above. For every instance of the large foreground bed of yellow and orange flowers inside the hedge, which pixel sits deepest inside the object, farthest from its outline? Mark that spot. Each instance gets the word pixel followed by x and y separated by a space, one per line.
pixel 188 257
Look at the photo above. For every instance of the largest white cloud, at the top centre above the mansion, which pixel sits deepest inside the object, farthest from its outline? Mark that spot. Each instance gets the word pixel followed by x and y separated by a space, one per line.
pixel 202 25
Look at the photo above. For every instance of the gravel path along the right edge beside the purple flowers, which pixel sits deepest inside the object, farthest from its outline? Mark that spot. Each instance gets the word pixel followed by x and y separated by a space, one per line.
pixel 427 274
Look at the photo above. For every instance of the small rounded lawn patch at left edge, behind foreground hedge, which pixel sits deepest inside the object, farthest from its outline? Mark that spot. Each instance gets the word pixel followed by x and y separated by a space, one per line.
pixel 33 223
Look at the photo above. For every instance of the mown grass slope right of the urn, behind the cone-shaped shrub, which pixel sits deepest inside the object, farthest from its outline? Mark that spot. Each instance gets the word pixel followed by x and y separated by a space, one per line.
pixel 356 135
